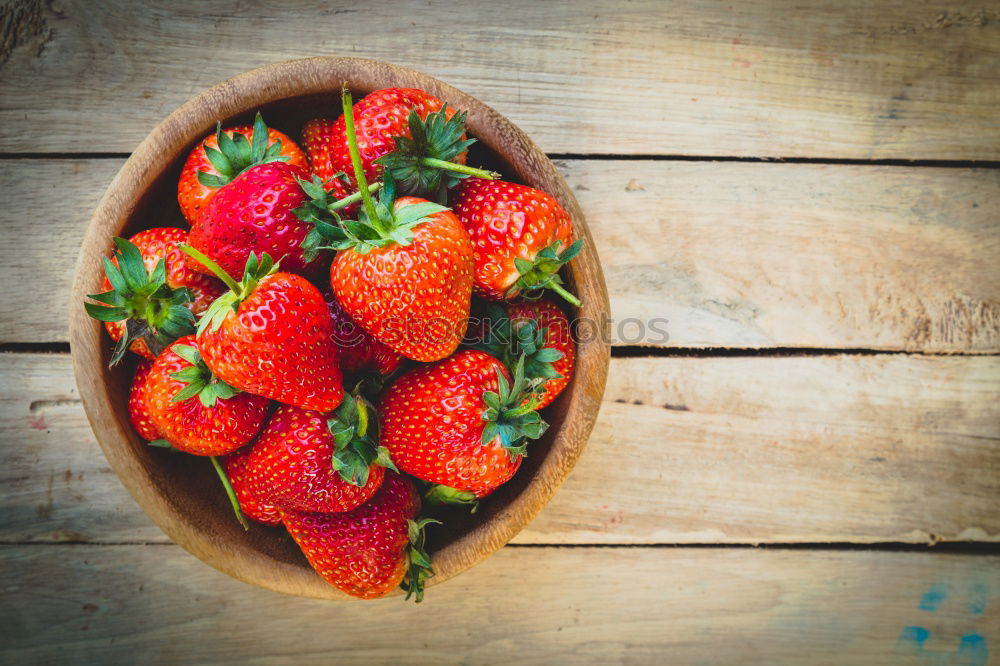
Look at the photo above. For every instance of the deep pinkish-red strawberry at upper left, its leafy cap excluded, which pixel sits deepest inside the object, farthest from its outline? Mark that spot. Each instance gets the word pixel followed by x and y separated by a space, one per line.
pixel 255 213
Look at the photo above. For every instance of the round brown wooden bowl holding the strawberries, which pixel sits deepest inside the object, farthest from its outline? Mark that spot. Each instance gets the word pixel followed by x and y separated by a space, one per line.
pixel 180 492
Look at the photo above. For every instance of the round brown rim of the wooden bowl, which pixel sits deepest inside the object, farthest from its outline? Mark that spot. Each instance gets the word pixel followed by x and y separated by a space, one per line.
pixel 253 89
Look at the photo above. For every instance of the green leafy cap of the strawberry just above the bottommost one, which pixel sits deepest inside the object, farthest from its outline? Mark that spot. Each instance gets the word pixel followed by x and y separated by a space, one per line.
pixel 354 426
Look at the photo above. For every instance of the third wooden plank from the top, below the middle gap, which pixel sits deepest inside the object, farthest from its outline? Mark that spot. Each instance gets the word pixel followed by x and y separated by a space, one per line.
pixel 686 450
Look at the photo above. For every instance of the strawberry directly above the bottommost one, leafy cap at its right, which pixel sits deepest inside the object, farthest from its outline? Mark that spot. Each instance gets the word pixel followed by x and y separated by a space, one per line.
pixel 307 462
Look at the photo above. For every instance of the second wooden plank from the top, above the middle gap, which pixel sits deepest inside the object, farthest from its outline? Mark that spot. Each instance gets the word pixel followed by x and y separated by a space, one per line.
pixel 730 254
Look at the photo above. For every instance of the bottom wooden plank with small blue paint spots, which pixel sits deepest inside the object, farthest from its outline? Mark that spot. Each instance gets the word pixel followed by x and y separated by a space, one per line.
pixel 112 604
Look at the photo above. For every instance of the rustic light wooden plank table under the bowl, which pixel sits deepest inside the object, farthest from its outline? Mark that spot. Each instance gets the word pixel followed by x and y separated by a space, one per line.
pixel 808 470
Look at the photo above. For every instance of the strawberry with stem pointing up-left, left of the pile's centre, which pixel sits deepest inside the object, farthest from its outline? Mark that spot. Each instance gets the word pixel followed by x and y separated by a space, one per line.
pixel 271 334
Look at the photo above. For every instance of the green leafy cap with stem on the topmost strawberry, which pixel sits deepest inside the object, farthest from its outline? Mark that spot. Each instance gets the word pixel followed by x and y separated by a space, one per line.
pixel 422 162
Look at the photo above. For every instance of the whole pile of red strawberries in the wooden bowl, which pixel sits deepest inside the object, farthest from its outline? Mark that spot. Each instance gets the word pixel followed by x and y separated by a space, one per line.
pixel 337 393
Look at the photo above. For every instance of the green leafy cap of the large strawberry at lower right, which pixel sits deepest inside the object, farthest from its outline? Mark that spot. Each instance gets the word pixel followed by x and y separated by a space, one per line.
pixel 511 413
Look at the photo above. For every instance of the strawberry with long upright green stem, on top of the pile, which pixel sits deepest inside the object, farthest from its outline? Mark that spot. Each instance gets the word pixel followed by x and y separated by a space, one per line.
pixel 404 270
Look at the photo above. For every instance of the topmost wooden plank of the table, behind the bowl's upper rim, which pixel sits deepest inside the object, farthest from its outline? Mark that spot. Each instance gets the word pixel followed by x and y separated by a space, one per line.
pixel 855 79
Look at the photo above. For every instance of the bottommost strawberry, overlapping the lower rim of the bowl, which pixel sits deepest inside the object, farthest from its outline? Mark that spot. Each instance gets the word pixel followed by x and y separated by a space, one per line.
pixel 369 551
